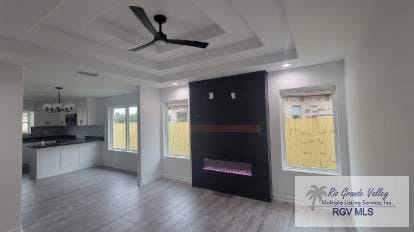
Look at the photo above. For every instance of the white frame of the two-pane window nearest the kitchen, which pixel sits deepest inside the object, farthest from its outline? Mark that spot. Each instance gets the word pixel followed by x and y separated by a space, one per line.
pixel 110 129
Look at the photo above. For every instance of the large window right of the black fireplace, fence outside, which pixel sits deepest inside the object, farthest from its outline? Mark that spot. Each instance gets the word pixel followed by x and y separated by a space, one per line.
pixel 309 131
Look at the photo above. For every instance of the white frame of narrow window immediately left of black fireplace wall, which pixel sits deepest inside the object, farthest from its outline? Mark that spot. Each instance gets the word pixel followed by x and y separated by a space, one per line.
pixel 166 107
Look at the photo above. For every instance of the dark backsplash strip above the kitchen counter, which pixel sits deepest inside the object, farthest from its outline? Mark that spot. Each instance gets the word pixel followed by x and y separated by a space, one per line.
pixel 78 131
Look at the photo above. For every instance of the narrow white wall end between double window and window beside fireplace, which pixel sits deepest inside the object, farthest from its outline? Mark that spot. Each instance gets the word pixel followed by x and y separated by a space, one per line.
pixel 150 135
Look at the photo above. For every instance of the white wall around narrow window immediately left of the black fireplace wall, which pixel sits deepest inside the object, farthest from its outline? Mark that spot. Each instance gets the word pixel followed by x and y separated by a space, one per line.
pixel 175 168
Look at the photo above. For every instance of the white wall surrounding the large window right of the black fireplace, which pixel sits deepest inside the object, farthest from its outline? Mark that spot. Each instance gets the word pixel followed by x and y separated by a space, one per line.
pixel 323 74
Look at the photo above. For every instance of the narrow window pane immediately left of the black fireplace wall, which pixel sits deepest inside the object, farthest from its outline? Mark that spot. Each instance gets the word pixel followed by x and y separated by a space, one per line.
pixel 178 130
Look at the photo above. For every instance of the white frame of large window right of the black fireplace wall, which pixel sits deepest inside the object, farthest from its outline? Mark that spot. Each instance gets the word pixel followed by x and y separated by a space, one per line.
pixel 309 91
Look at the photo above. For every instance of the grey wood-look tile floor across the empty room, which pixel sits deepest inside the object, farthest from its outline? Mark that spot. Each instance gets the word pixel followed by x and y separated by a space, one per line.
pixel 104 200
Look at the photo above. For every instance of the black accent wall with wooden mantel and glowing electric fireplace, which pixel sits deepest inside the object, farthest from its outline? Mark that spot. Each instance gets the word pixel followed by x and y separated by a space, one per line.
pixel 235 130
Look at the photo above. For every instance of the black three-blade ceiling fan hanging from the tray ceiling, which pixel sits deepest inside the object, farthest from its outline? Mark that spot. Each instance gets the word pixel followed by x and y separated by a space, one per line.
pixel 159 37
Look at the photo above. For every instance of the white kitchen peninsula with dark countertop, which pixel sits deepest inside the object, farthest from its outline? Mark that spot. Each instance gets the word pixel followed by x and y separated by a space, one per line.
pixel 59 157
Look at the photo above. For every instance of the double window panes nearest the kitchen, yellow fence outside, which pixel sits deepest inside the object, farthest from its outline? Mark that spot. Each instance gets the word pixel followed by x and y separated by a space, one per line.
pixel 124 129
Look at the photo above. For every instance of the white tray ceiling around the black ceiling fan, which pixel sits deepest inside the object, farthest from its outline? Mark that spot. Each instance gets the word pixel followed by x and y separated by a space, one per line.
pixel 53 39
